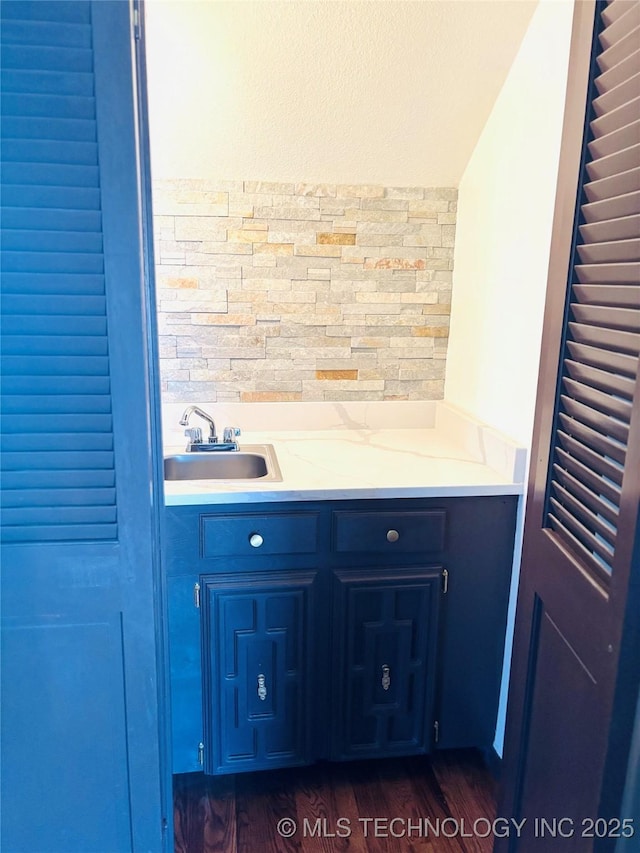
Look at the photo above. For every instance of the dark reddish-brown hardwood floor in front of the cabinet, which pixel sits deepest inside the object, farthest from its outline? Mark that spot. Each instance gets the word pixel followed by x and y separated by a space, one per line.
pixel 332 807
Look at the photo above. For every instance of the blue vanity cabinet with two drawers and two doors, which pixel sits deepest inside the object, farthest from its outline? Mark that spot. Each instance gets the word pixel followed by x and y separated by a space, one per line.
pixel 335 630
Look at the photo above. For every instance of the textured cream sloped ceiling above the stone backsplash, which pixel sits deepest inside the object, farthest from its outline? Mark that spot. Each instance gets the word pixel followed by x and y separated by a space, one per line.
pixel 336 91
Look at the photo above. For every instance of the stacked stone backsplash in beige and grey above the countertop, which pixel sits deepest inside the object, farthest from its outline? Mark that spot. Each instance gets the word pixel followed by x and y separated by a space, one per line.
pixel 275 291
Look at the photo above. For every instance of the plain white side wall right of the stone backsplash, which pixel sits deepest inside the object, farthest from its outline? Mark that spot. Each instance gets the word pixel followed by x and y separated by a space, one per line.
pixel 505 211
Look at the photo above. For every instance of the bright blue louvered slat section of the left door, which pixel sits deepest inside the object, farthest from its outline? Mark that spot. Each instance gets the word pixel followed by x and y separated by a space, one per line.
pixel 58 466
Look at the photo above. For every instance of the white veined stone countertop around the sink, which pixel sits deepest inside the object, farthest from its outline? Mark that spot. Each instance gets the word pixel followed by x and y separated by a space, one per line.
pixel 442 452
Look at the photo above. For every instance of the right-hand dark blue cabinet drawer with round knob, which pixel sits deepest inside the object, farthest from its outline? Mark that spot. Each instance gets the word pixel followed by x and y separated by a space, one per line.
pixel 389 532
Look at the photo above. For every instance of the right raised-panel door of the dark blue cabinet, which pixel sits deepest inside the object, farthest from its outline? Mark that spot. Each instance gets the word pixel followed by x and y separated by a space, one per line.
pixel 384 657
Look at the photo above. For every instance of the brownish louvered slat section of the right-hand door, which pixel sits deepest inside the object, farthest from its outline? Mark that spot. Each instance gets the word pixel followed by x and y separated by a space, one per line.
pixel 599 364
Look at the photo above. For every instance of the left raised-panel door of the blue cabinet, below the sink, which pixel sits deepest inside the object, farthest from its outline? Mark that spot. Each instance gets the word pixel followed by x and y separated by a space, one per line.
pixel 259 637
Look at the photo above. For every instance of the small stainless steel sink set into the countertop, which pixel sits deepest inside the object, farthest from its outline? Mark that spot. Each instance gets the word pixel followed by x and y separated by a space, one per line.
pixel 251 462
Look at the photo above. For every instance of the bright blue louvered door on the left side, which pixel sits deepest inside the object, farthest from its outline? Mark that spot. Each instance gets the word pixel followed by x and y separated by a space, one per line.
pixel 81 767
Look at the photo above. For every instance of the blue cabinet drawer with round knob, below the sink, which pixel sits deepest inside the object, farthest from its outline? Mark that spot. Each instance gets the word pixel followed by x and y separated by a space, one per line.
pixel 253 535
